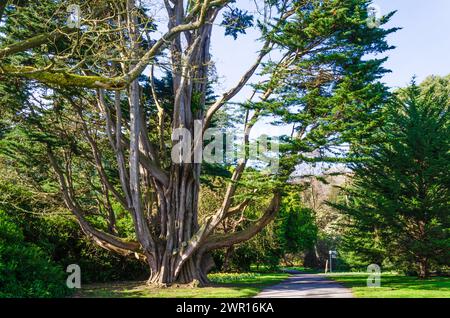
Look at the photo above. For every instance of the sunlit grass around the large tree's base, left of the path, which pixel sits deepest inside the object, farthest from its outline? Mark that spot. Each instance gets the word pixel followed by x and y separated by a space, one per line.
pixel 223 286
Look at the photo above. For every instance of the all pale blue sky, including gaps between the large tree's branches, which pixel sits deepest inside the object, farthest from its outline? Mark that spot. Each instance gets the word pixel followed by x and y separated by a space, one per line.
pixel 422 48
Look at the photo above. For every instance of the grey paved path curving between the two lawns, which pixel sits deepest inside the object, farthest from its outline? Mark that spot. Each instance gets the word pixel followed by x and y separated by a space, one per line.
pixel 302 285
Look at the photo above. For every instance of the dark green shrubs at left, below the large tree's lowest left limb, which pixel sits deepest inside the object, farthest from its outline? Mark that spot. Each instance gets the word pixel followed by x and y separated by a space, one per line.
pixel 52 229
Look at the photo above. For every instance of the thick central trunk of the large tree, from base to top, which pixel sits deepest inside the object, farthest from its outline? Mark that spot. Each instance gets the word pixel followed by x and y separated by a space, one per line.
pixel 177 258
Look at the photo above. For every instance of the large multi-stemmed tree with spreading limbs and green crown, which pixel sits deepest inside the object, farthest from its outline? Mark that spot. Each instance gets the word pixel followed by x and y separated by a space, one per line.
pixel 82 100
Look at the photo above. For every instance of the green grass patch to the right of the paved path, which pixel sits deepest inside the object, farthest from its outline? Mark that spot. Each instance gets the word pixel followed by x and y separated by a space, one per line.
pixel 394 286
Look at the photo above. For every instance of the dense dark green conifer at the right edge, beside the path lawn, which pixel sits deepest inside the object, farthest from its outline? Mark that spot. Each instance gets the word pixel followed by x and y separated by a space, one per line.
pixel 398 205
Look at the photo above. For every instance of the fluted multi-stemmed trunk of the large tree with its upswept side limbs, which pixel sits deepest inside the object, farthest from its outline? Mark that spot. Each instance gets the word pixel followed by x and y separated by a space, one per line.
pixel 169 237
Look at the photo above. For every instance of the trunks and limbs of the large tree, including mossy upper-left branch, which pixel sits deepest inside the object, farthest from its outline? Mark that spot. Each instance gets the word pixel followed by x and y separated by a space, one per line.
pixel 163 203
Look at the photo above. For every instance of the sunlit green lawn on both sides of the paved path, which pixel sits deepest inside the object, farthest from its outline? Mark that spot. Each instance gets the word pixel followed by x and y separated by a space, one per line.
pixel 250 284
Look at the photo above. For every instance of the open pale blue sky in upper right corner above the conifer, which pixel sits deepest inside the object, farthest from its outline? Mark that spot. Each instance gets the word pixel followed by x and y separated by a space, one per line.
pixel 423 45
